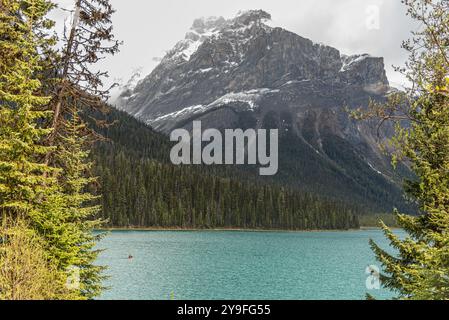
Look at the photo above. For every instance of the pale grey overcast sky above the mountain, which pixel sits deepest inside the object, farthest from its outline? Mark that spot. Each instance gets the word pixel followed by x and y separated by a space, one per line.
pixel 151 27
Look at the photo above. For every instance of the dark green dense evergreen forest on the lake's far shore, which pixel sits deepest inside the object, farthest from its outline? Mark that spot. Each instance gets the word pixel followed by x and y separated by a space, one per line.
pixel 142 189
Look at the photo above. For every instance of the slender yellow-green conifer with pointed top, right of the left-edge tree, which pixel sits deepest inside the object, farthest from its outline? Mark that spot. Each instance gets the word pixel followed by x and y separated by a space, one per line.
pixel 79 207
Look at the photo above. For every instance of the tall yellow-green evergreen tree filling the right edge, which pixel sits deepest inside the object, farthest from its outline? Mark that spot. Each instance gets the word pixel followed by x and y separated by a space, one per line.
pixel 420 270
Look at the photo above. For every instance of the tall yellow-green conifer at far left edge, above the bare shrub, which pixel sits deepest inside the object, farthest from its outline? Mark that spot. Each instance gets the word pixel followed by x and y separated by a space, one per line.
pixel 21 174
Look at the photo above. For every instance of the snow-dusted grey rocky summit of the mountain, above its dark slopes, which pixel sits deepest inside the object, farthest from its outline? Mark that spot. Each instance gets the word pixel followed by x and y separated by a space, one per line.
pixel 220 57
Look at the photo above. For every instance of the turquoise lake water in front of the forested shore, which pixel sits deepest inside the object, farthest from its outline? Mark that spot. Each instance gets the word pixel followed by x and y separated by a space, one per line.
pixel 239 265
